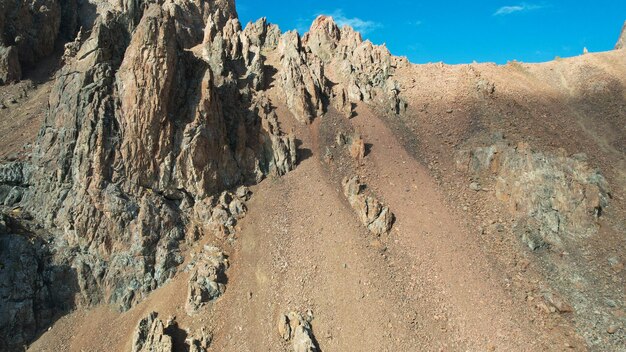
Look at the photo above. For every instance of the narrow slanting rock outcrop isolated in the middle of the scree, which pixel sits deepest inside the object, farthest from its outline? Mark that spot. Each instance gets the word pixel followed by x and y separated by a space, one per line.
pixel 375 216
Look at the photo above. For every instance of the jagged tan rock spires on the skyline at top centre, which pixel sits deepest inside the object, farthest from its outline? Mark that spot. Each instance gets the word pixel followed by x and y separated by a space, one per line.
pixel 362 71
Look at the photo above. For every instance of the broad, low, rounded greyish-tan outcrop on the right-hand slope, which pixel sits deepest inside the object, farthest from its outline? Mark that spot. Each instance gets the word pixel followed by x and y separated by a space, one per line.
pixel 556 198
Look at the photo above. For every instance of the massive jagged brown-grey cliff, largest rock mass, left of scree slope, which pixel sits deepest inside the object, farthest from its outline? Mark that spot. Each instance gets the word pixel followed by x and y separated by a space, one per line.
pixel 120 185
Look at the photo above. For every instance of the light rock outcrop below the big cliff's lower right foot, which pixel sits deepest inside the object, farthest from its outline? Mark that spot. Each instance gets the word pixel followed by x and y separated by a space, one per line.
pixel 207 278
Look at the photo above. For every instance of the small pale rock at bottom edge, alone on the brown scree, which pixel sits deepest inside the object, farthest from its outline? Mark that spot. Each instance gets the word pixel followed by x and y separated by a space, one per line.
pixel 294 328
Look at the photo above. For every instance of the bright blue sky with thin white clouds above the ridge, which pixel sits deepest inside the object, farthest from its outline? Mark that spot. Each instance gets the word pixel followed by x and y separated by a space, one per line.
pixel 461 31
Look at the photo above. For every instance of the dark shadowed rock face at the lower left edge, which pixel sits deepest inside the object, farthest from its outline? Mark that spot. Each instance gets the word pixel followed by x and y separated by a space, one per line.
pixel 34 292
